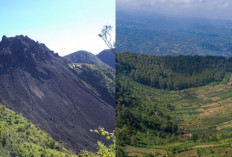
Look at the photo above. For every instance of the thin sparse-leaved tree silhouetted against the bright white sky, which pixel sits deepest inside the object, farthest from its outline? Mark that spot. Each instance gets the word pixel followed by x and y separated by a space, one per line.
pixel 106 37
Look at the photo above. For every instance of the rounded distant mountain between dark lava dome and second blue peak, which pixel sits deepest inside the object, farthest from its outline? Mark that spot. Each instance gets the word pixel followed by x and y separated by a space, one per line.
pixel 83 57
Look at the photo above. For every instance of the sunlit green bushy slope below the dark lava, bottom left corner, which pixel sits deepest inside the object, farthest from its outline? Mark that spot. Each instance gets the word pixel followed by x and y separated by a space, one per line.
pixel 19 137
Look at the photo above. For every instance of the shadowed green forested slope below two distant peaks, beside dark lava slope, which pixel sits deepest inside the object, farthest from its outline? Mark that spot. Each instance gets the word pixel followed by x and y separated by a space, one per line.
pixel 100 79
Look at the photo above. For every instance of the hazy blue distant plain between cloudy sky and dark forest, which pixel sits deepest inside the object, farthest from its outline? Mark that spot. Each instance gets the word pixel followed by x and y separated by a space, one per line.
pixel 157 34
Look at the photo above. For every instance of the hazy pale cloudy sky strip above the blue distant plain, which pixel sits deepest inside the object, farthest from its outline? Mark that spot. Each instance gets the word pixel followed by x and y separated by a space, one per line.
pixel 212 9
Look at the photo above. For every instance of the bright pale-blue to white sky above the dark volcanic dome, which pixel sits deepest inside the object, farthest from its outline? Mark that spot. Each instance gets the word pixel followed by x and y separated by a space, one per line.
pixel 64 26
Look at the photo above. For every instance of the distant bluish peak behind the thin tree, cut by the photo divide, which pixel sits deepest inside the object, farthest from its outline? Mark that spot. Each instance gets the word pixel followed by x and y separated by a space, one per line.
pixel 108 57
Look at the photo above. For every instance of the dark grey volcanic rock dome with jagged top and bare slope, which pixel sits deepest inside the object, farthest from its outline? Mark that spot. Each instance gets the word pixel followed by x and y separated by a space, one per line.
pixel 39 84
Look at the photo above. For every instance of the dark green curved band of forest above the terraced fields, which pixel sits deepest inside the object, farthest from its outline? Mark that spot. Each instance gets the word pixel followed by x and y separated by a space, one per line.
pixel 173 72
